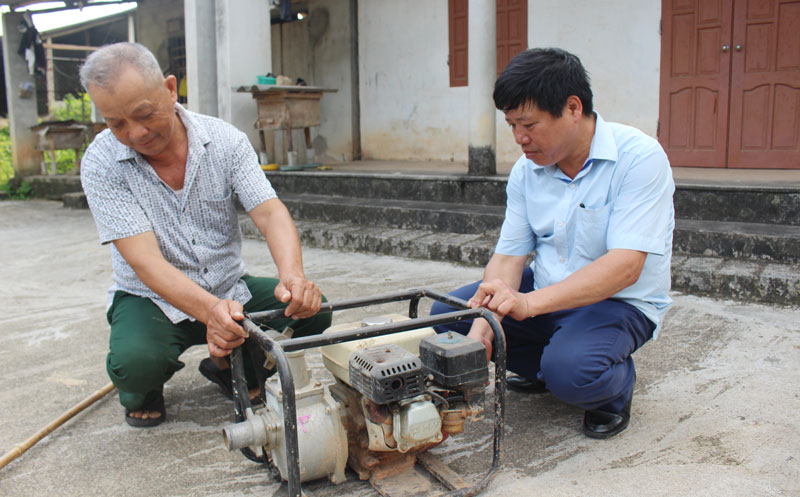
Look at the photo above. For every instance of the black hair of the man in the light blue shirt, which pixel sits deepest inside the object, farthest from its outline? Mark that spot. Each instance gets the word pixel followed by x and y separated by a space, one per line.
pixel 545 77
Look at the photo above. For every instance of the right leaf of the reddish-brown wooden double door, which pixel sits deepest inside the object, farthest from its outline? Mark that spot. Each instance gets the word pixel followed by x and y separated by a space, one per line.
pixel 765 85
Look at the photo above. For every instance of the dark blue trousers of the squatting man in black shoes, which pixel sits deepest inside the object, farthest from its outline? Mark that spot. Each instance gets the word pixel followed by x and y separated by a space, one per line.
pixel 582 354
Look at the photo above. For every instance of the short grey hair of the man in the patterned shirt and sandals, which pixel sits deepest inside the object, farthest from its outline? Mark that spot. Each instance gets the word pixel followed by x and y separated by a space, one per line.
pixel 103 66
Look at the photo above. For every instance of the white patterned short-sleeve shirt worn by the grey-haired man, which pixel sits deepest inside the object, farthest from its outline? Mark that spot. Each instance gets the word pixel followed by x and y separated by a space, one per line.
pixel 196 228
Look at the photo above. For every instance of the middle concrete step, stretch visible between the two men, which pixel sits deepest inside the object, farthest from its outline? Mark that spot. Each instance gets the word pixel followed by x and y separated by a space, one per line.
pixel 392 213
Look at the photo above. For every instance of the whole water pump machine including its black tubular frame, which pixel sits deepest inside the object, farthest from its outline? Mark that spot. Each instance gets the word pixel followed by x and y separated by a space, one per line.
pixel 398 389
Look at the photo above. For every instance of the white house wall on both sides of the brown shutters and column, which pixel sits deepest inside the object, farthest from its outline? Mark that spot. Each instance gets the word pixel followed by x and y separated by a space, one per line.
pixel 409 111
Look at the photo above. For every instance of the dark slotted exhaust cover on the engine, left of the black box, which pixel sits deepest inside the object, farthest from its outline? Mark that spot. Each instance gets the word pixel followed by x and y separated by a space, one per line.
pixel 386 373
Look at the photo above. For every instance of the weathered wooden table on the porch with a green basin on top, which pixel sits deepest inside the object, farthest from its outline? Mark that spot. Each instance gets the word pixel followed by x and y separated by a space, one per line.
pixel 284 108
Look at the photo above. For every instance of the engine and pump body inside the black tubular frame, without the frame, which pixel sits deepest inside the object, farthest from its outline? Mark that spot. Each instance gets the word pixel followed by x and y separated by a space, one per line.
pixel 392 397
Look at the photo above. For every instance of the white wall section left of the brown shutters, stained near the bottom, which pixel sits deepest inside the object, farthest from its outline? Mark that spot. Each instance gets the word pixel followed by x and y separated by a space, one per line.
pixel 408 110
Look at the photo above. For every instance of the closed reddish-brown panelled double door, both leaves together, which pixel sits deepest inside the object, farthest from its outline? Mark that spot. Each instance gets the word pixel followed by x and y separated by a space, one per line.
pixel 730 83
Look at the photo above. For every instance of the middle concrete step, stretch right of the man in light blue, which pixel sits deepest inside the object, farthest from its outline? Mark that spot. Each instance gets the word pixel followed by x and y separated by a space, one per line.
pixel 753 241
